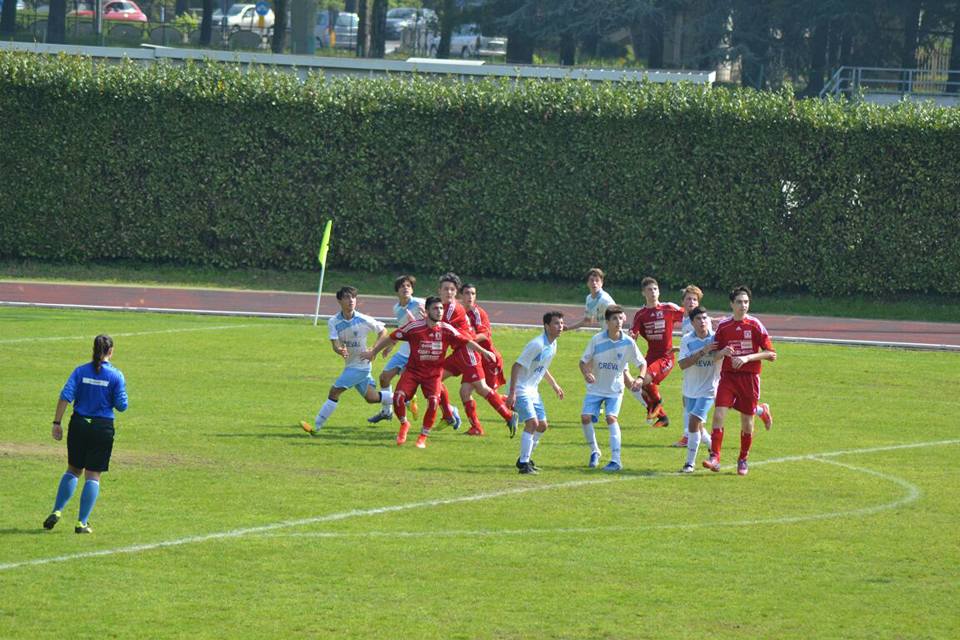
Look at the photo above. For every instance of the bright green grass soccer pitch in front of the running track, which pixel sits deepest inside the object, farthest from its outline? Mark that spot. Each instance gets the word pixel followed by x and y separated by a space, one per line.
pixel 221 518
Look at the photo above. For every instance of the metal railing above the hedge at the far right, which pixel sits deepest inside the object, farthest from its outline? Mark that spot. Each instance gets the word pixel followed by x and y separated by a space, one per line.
pixel 854 81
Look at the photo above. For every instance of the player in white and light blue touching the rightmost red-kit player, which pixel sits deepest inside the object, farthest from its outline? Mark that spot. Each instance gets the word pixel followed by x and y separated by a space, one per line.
pixel 700 362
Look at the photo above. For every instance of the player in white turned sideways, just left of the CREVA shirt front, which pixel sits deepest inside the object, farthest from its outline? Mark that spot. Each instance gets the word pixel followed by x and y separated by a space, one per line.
pixel 530 368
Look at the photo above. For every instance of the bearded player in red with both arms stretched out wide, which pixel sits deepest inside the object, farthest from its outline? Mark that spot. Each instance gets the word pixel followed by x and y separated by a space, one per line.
pixel 429 339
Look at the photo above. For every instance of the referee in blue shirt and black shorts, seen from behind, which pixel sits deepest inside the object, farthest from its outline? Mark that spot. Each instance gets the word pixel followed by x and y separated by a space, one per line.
pixel 95 389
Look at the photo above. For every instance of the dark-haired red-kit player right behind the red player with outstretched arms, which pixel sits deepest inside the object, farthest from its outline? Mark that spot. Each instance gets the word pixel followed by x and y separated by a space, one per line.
pixel 465 364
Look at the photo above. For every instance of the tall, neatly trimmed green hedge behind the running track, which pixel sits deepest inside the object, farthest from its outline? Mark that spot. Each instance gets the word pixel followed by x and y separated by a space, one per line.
pixel 210 165
